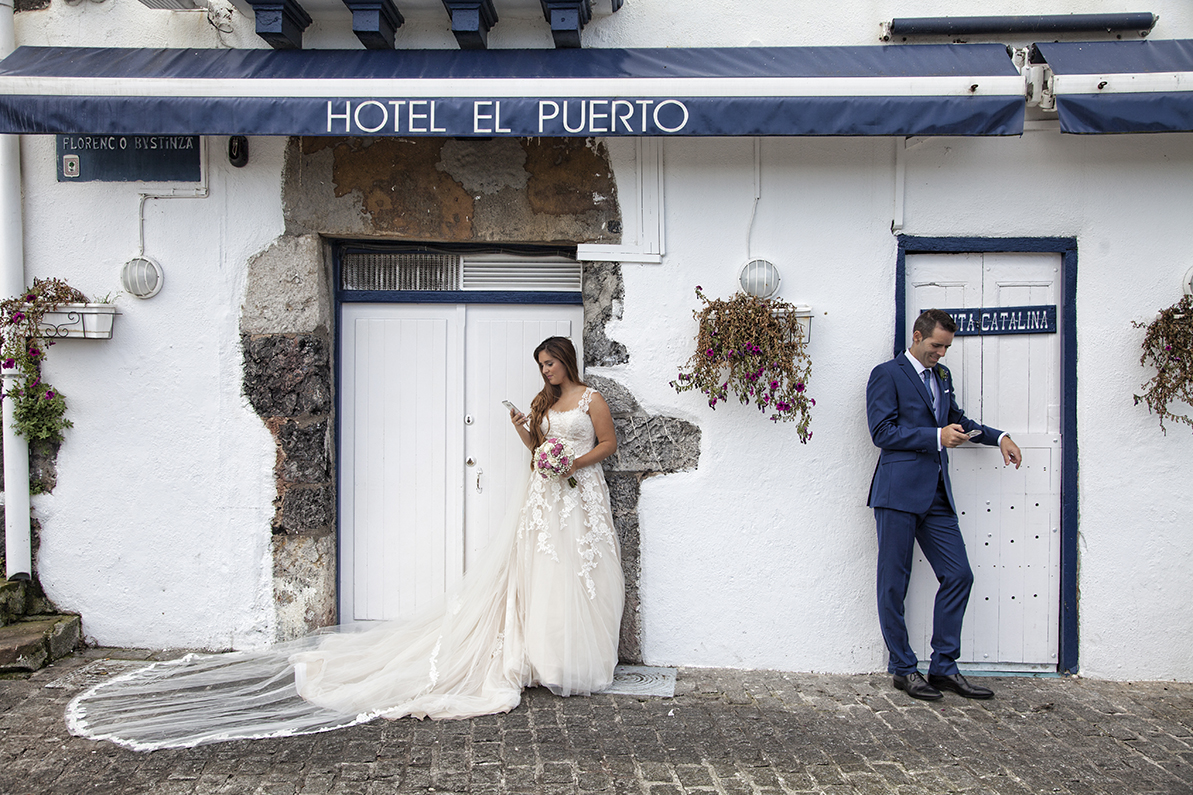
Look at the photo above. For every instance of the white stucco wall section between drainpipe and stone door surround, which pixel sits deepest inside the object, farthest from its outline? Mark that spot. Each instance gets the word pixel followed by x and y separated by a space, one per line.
pixel 159 527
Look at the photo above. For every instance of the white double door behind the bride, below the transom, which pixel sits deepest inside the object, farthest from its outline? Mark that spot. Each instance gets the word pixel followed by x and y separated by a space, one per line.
pixel 429 459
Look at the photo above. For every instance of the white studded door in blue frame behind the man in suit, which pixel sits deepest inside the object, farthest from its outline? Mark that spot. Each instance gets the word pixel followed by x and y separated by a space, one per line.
pixel 1010 519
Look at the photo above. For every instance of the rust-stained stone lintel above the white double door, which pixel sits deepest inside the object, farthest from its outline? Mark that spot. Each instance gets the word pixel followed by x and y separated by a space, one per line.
pixel 410 189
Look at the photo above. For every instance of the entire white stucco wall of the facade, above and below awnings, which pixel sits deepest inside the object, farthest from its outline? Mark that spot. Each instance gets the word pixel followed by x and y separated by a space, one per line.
pixel 763 557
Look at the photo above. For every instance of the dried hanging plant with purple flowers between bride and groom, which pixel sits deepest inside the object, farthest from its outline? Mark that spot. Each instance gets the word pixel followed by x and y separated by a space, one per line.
pixel 756 350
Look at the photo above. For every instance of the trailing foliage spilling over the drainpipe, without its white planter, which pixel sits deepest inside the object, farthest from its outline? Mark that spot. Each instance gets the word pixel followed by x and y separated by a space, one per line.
pixel 39 409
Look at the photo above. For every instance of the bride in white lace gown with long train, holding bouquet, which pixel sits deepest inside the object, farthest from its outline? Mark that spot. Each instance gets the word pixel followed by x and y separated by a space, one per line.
pixel 543 608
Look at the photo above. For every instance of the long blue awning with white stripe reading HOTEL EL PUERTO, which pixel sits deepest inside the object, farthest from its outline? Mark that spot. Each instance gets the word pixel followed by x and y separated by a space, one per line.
pixel 899 91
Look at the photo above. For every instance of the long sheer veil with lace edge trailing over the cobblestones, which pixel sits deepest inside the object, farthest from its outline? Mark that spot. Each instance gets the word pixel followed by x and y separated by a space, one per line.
pixel 460 657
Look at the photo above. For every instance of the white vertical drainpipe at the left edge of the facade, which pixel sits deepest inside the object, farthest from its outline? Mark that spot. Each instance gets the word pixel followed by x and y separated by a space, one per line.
pixel 18 545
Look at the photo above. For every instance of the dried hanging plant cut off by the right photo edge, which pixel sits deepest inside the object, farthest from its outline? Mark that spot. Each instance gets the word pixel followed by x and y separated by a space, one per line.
pixel 1169 347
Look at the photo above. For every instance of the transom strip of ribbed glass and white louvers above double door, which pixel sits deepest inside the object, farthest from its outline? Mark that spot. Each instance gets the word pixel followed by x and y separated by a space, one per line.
pixel 435 272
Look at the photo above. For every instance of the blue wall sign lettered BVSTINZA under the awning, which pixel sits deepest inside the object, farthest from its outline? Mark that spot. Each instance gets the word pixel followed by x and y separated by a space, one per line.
pixel 129 158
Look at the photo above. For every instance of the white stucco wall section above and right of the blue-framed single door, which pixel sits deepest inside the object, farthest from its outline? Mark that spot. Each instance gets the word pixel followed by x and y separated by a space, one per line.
pixel 1124 199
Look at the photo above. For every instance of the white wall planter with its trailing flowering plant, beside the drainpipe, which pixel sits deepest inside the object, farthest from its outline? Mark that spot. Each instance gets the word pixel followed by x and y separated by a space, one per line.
pixel 30 323
